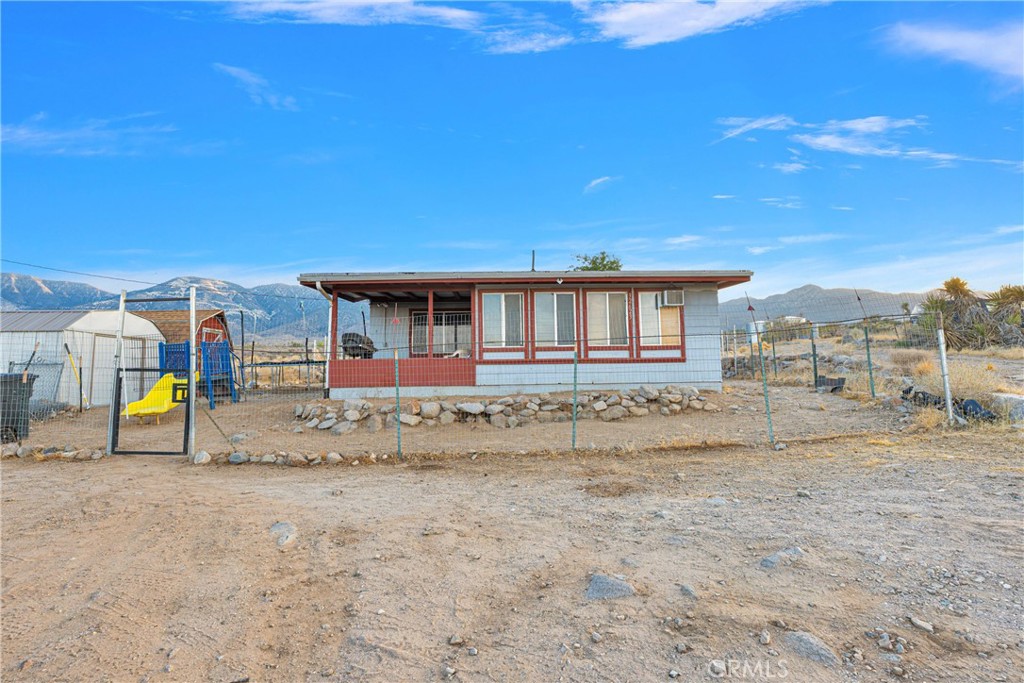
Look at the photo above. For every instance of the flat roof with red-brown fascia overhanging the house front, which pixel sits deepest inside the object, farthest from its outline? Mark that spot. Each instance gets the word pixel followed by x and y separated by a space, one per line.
pixel 413 286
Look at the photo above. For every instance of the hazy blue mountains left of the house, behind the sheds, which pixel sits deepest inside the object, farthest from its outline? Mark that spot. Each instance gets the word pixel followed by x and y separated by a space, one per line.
pixel 279 312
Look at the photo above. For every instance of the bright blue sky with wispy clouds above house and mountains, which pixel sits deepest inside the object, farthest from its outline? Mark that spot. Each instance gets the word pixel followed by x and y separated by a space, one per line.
pixel 868 145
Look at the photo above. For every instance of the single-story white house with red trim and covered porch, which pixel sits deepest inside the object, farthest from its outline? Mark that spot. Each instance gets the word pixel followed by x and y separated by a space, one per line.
pixel 492 333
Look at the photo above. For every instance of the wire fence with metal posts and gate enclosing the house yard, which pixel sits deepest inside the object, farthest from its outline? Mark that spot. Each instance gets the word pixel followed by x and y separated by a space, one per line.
pixel 392 387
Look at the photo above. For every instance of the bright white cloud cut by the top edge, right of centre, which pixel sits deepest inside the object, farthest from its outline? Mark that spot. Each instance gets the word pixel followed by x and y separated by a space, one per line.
pixel 645 24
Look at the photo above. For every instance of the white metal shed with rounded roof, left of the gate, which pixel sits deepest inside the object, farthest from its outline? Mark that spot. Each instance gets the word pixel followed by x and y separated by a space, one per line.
pixel 91 337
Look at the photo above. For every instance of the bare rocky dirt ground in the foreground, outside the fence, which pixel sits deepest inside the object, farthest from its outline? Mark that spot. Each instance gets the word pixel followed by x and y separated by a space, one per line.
pixel 479 570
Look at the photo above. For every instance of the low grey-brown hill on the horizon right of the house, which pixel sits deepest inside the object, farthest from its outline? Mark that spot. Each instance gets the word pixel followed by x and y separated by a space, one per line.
pixel 819 306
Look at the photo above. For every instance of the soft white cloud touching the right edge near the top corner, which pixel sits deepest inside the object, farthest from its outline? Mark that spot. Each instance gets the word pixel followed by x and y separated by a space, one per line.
pixel 997 50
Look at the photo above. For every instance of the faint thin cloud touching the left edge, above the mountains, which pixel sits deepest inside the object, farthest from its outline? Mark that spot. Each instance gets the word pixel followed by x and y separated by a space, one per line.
pixel 117 137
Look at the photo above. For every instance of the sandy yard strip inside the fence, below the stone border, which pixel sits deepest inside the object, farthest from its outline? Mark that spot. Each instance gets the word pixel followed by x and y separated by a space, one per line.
pixel 268 423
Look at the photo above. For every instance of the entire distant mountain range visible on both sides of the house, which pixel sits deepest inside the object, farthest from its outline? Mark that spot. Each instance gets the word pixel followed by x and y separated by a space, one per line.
pixel 284 312
